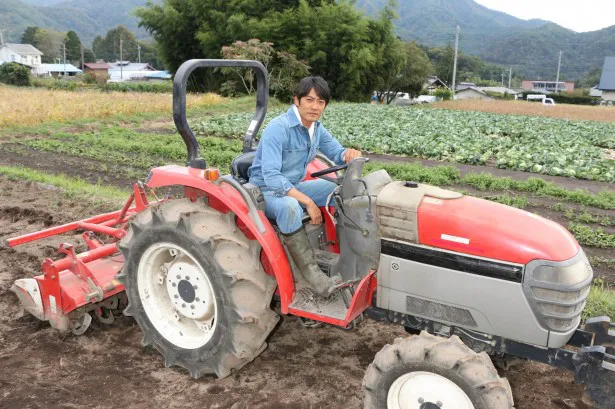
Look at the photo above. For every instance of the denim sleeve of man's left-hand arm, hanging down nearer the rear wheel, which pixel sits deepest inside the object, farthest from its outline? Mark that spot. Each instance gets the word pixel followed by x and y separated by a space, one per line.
pixel 271 166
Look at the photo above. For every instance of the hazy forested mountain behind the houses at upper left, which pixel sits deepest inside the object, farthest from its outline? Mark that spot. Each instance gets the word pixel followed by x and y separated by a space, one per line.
pixel 87 17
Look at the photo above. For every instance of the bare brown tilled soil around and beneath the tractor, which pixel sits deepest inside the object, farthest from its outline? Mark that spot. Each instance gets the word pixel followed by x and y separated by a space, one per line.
pixel 303 368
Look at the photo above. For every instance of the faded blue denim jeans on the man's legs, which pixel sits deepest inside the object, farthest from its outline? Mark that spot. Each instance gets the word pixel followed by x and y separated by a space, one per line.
pixel 288 212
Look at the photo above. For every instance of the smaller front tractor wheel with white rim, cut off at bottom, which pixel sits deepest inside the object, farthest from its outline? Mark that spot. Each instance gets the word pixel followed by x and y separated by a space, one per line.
pixel 430 372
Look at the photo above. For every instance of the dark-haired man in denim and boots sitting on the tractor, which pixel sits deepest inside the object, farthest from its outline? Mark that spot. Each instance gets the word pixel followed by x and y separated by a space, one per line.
pixel 289 143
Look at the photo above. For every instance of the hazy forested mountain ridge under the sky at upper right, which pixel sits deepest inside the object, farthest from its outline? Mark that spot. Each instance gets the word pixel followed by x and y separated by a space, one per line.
pixel 528 46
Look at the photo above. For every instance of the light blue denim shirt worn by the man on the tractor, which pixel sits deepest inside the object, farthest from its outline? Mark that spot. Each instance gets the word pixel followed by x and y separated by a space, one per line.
pixel 285 150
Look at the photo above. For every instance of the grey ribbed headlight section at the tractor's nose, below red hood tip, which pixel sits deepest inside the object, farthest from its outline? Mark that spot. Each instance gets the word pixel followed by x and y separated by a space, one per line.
pixel 557 291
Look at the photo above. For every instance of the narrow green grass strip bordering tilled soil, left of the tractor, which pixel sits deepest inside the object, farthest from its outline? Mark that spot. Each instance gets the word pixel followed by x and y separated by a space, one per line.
pixel 71 187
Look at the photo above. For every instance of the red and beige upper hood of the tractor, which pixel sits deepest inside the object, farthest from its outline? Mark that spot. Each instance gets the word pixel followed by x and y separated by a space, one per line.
pixel 447 220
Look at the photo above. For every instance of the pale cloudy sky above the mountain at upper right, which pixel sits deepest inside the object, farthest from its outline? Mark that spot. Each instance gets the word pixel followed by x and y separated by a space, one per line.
pixel 587 15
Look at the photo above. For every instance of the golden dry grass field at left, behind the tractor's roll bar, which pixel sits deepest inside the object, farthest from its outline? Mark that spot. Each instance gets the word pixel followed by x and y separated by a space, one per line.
pixel 33 106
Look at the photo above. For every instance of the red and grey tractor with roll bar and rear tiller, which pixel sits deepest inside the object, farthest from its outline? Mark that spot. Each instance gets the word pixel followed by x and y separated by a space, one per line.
pixel 472 279
